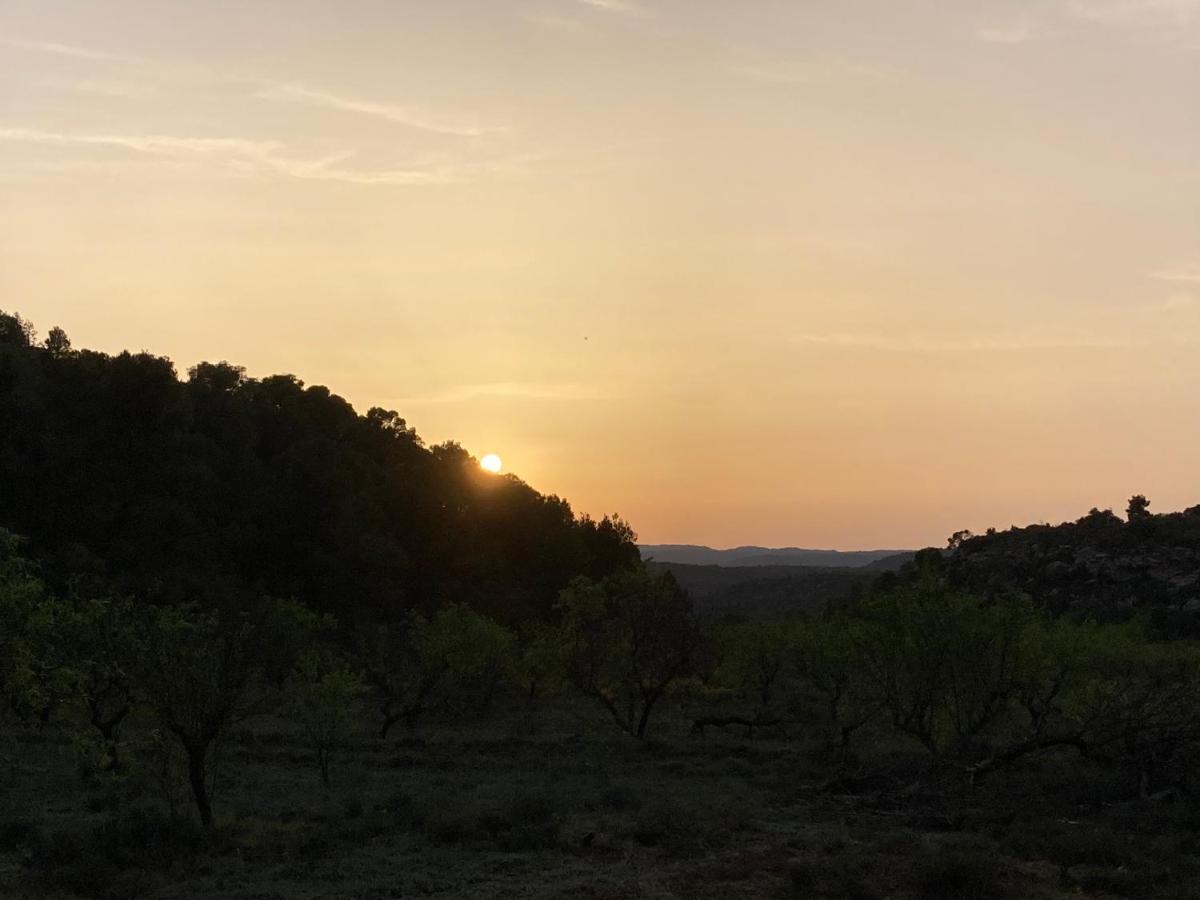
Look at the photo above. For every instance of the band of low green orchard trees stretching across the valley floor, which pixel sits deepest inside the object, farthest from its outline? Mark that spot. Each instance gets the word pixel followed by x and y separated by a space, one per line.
pixel 979 685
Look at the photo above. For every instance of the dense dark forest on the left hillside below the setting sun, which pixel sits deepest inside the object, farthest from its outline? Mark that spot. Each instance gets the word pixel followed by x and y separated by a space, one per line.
pixel 220 489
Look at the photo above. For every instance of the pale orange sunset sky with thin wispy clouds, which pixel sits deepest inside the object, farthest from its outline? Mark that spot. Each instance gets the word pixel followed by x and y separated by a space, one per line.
pixel 821 274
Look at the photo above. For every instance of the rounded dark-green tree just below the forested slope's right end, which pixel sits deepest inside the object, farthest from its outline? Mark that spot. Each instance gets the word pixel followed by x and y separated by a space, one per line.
pixel 626 639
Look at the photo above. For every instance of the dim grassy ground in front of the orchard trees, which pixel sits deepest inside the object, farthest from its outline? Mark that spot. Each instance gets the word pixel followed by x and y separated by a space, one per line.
pixel 550 802
